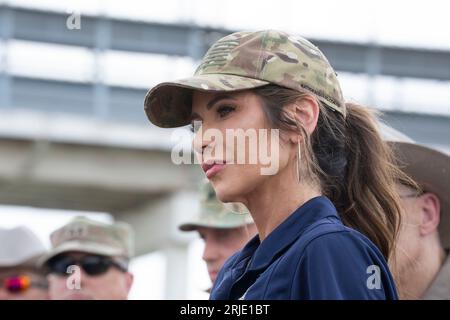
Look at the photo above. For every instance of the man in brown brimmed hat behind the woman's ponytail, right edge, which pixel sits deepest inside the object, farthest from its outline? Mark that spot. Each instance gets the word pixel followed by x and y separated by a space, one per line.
pixel 421 263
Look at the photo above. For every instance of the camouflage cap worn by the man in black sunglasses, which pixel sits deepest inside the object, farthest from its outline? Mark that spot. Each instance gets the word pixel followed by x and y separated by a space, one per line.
pixel 86 235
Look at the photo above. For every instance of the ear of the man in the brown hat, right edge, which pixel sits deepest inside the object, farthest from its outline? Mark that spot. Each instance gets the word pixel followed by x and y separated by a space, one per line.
pixel 430 213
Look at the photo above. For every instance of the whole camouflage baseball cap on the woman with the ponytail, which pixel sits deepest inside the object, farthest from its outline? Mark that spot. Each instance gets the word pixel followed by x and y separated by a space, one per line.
pixel 247 60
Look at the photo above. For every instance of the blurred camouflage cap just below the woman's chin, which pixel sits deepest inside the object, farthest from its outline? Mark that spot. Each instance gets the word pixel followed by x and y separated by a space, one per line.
pixel 215 214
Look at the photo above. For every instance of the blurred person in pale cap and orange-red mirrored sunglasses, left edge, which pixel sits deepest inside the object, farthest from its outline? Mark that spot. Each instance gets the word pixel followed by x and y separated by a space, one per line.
pixel 20 277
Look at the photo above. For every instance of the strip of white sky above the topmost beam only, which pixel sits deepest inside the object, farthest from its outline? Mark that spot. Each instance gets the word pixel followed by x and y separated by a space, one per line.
pixel 411 23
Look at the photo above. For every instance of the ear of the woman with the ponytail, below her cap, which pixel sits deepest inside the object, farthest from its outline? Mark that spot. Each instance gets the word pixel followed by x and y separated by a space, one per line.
pixel 305 111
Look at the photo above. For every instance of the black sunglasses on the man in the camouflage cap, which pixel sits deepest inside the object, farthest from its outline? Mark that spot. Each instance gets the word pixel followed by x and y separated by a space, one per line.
pixel 92 265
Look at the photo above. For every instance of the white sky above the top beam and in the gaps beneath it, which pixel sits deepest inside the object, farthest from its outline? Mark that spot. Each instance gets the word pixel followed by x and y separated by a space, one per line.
pixel 413 23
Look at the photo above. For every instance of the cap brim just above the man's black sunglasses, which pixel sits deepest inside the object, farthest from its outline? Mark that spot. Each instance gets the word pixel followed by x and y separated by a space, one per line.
pixel 81 246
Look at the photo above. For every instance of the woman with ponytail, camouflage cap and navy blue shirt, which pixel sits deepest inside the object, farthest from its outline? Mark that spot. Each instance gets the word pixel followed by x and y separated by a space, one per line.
pixel 330 209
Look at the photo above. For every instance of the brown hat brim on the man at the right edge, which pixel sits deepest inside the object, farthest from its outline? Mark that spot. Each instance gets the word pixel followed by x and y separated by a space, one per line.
pixel 431 169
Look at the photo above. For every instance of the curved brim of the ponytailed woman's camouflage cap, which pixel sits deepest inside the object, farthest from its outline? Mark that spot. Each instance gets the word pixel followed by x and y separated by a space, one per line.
pixel 168 105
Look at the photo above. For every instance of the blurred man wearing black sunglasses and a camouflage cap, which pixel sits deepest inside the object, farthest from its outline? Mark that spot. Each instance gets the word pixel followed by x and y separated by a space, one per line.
pixel 100 251
